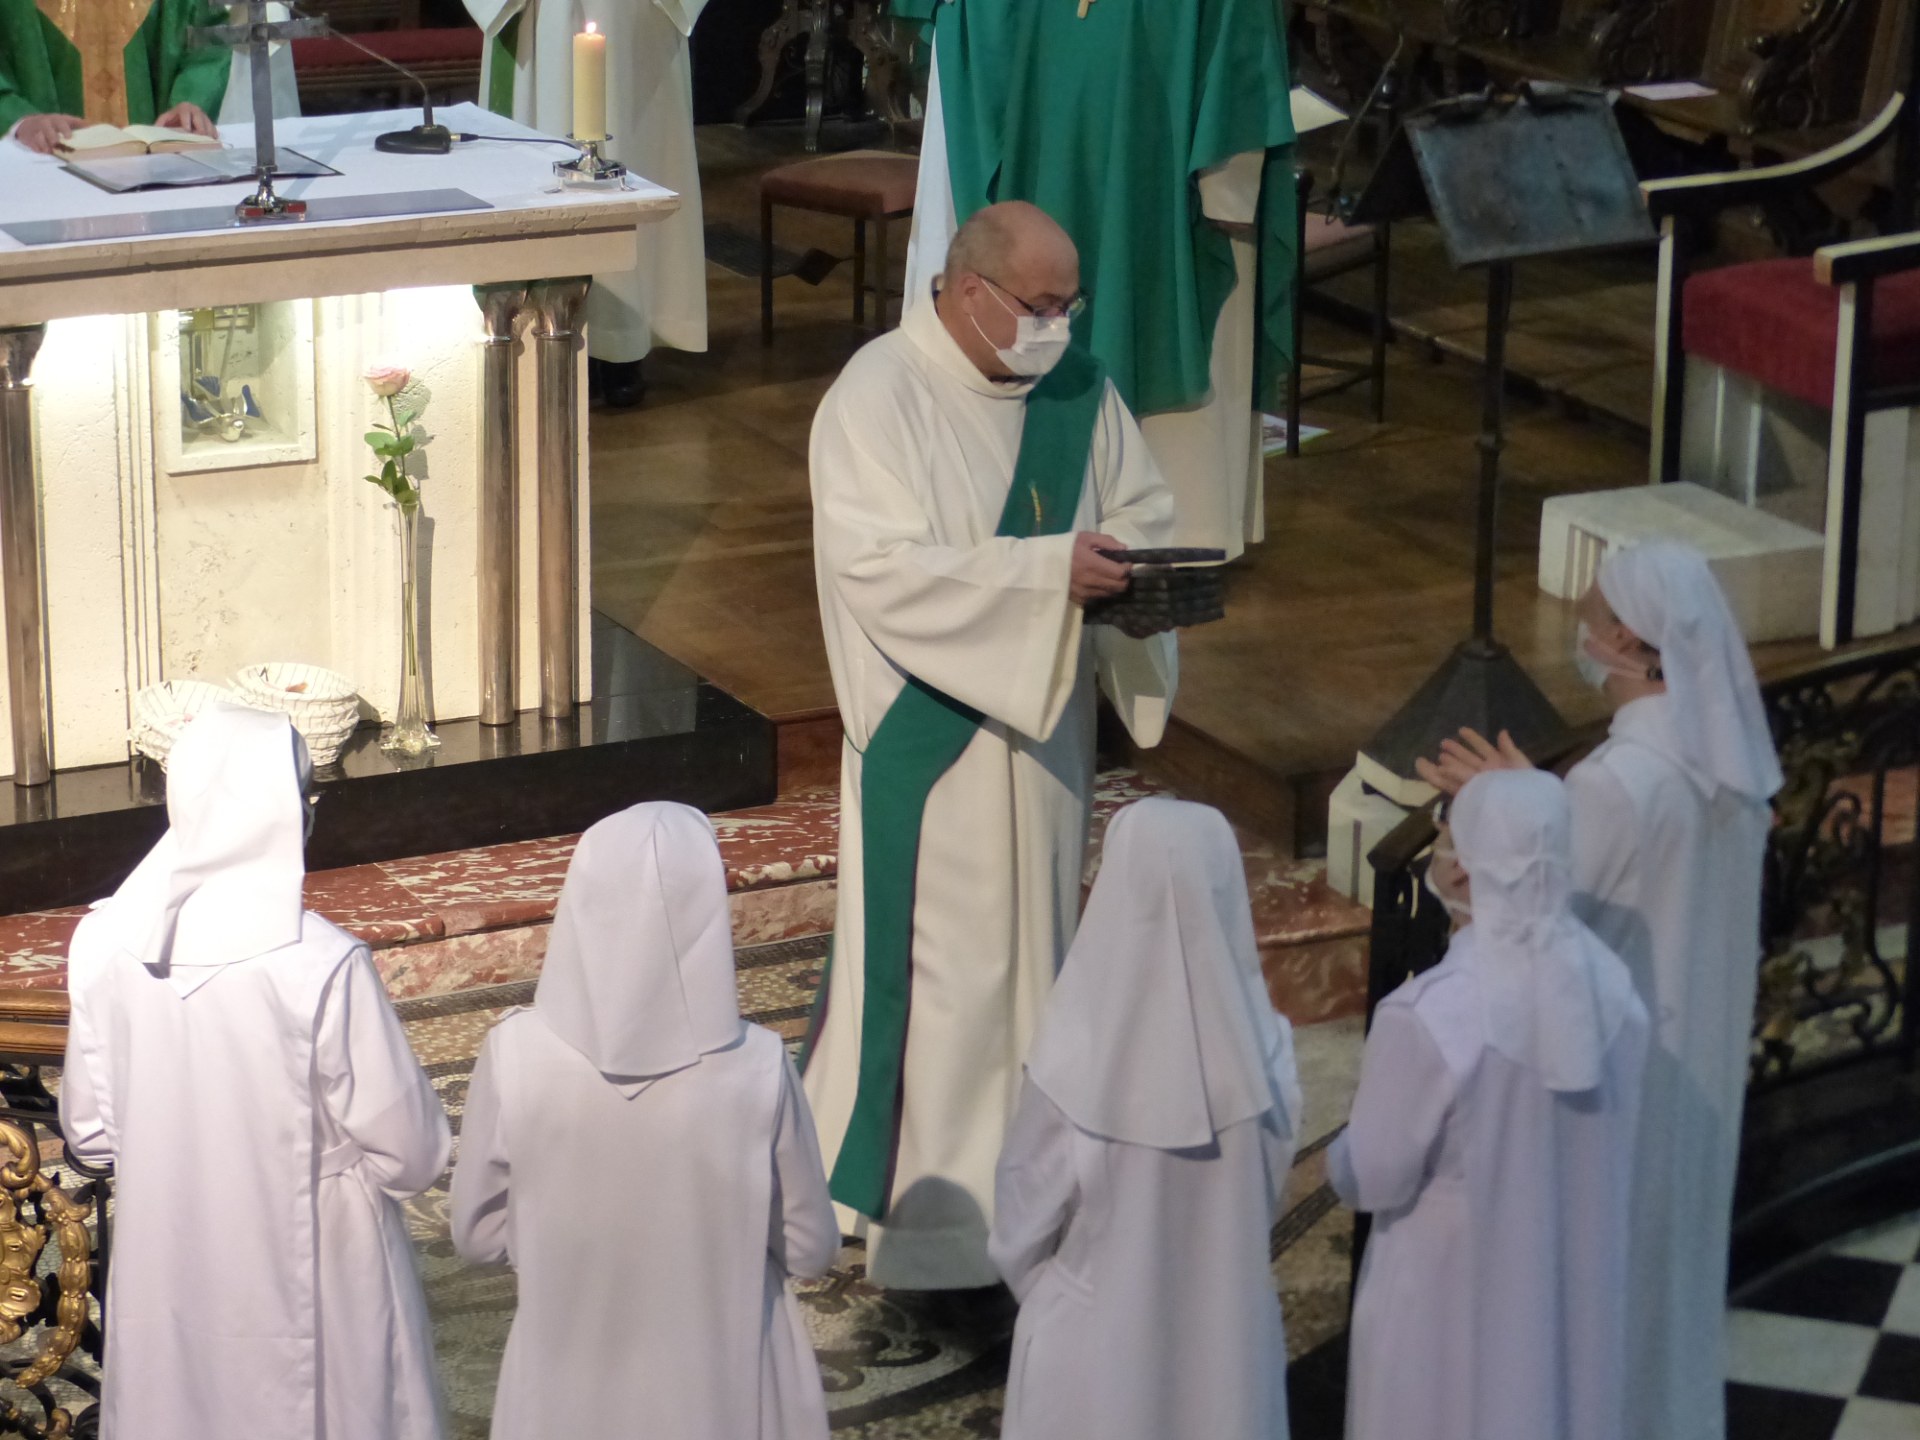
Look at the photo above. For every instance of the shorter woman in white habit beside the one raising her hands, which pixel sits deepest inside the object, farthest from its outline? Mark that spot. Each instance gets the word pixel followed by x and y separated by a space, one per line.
pixel 1493 1141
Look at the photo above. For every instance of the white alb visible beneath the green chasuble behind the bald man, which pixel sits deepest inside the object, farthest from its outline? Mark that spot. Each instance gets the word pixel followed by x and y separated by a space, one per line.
pixel 1209 454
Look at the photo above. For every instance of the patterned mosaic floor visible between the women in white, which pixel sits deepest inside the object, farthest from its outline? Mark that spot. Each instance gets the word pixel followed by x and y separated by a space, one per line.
pixel 896 1366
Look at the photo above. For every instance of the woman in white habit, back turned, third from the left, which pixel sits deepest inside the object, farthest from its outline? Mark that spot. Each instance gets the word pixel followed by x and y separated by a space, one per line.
pixel 1145 1163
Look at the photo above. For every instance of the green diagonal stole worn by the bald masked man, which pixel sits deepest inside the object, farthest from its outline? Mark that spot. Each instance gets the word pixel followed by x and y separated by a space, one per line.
pixel 917 742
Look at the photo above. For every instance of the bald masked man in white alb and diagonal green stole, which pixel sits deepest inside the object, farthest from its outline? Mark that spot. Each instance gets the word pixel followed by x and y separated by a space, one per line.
pixel 969 471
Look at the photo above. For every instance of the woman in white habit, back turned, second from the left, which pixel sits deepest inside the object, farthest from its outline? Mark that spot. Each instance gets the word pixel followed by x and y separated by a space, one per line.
pixel 648 1164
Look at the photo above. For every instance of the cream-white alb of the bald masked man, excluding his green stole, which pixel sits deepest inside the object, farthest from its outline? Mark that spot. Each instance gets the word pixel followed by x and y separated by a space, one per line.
pixel 913 458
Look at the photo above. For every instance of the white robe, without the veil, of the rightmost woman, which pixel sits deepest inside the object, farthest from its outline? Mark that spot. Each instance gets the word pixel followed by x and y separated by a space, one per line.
pixel 1671 880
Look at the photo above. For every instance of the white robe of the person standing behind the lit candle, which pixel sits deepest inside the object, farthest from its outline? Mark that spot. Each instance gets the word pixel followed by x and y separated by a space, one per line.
pixel 650 114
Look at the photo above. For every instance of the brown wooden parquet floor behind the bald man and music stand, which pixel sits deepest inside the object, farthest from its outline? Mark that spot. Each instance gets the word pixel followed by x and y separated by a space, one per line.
pixel 702 531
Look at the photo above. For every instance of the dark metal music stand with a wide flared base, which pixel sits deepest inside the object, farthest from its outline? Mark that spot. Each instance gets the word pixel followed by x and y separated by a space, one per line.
pixel 1508 178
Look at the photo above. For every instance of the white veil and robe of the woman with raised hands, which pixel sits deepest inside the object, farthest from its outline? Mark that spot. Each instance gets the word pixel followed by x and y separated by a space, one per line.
pixel 1669 823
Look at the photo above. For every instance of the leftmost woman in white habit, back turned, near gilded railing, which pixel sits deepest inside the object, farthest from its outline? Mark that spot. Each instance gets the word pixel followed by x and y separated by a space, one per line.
pixel 237 1061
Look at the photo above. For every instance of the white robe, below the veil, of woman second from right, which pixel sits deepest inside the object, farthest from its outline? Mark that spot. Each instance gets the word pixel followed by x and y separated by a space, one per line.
pixel 1491 1303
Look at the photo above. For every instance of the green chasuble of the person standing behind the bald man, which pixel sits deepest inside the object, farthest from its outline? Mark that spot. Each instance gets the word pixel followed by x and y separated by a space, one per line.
pixel 1107 126
